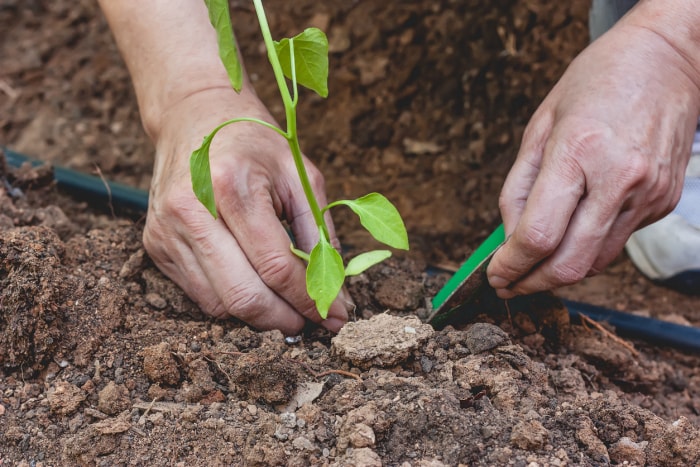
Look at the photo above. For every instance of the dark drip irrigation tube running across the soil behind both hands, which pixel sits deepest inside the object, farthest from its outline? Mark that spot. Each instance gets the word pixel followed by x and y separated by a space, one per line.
pixel 639 327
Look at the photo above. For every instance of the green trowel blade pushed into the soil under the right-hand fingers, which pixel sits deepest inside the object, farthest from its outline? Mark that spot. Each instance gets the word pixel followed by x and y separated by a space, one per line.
pixel 466 285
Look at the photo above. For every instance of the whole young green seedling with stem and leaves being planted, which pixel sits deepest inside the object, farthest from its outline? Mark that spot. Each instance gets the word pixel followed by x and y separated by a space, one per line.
pixel 303 60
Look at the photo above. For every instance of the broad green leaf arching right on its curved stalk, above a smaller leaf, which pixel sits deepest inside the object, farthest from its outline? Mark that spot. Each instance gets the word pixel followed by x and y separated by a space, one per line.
pixel 379 217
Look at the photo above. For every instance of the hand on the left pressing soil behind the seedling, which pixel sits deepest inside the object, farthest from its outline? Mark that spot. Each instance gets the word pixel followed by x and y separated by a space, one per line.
pixel 239 264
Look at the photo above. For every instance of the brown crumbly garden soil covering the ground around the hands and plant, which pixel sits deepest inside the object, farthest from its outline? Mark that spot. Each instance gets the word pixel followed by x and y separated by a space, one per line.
pixel 105 361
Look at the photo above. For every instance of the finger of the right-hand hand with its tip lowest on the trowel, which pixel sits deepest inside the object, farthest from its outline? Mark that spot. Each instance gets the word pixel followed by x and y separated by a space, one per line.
pixel 554 197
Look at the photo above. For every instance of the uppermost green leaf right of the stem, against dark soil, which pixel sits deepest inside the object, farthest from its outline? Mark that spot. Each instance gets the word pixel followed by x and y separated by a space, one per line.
pixel 310 59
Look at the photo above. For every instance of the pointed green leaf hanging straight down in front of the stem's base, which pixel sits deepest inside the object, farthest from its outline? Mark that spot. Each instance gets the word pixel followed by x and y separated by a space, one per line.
pixel 325 275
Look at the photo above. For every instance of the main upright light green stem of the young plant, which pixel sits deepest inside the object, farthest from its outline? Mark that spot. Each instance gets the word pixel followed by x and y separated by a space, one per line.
pixel 291 117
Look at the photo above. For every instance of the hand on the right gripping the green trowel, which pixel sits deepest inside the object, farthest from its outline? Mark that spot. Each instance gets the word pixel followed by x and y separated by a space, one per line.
pixel 603 155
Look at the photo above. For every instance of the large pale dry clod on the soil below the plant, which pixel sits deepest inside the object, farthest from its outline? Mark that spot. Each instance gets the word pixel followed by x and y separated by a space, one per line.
pixel 384 340
